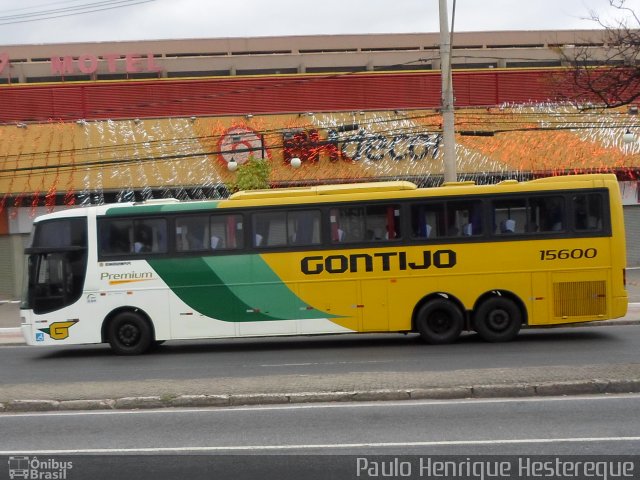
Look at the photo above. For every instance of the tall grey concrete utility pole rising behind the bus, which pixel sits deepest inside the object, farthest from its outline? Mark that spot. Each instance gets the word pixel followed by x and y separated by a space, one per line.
pixel 448 122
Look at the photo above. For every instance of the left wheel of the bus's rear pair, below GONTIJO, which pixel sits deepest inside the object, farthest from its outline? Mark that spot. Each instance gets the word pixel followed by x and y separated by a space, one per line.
pixel 439 321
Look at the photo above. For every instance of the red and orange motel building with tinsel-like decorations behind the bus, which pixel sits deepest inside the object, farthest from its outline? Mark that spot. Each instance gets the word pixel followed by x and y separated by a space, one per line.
pixel 104 122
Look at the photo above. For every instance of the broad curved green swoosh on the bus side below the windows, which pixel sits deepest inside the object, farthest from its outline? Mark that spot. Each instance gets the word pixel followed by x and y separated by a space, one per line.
pixel 233 289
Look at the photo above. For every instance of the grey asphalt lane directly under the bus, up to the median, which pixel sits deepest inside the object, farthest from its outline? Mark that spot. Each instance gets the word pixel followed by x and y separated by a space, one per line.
pixel 323 355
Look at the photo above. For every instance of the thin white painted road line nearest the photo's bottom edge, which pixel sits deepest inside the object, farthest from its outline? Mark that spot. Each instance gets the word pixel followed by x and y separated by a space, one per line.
pixel 331 446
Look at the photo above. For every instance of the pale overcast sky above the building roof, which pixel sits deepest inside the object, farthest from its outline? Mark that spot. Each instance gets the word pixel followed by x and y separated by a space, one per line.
pixel 122 20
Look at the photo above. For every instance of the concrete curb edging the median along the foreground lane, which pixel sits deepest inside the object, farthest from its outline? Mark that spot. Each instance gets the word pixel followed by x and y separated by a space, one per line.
pixel 583 387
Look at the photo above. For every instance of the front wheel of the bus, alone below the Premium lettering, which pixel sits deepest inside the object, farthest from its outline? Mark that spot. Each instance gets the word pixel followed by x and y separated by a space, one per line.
pixel 129 334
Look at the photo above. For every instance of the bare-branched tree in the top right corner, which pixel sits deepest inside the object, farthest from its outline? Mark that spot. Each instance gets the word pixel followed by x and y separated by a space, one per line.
pixel 609 74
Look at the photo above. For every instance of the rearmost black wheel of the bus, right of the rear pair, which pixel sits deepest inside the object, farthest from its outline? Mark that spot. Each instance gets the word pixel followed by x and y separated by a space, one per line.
pixel 498 319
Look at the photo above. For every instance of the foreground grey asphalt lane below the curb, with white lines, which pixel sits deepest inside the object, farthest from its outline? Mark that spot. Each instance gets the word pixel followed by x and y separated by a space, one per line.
pixel 596 425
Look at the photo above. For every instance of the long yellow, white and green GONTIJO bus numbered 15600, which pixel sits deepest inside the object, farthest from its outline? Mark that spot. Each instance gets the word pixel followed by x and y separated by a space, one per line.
pixel 370 257
